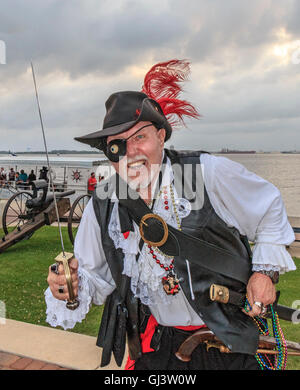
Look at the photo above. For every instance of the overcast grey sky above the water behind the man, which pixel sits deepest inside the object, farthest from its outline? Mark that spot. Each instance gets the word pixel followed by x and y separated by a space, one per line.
pixel 245 68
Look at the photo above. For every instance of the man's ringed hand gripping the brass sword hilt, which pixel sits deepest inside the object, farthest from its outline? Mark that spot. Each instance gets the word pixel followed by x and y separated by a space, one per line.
pixel 58 281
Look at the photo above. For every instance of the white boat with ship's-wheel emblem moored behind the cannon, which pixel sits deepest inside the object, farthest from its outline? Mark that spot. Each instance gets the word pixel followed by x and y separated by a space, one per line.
pixel 68 173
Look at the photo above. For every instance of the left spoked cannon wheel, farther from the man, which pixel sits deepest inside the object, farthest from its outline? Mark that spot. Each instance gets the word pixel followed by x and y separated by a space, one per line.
pixel 13 211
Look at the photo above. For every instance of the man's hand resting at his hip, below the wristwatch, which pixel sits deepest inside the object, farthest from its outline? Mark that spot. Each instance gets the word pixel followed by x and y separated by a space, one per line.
pixel 260 288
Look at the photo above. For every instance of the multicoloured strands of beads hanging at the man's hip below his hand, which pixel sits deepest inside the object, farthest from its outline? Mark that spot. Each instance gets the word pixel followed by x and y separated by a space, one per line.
pixel 280 359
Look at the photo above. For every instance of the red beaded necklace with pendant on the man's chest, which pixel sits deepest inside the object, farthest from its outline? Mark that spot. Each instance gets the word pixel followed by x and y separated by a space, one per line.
pixel 170 282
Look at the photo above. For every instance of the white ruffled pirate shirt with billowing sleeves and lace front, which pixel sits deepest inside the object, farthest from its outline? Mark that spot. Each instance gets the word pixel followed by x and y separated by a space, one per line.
pixel 239 197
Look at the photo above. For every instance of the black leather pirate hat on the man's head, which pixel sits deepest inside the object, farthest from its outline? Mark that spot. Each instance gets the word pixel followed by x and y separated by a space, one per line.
pixel 124 110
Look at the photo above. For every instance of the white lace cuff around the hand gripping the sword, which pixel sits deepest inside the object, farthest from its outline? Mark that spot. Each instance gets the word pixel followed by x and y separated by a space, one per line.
pixel 58 315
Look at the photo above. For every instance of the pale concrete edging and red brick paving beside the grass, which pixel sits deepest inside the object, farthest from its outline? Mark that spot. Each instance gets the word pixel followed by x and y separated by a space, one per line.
pixel 25 346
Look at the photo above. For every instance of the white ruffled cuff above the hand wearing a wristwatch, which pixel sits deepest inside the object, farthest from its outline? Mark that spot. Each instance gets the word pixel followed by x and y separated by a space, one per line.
pixel 272 257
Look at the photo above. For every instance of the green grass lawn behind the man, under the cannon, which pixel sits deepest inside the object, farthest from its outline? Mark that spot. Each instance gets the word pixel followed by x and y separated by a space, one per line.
pixel 23 280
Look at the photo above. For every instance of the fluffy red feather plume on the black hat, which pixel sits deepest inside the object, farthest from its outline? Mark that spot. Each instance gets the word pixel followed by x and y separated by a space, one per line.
pixel 162 83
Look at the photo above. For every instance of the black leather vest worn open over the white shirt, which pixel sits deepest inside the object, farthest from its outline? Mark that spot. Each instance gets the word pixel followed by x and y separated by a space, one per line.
pixel 121 312
